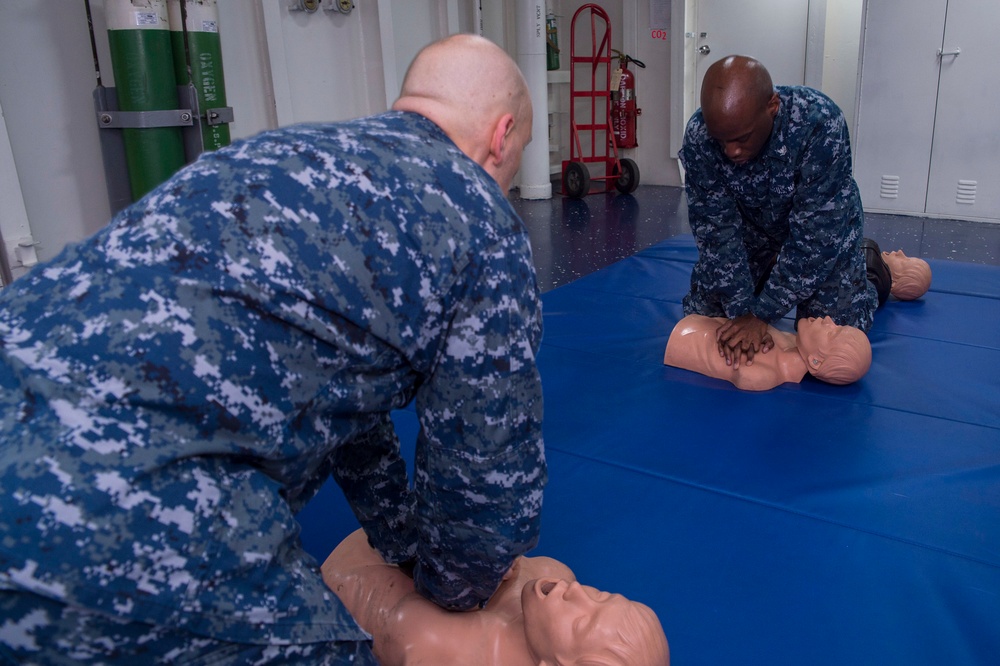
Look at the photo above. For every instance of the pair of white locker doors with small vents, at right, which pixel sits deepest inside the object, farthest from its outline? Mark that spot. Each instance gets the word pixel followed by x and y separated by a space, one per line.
pixel 928 129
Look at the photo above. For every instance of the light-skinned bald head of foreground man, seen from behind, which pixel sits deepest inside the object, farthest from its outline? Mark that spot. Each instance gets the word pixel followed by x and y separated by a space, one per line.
pixel 470 88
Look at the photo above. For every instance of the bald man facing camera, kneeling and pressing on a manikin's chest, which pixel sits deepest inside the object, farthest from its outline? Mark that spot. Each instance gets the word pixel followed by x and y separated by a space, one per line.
pixel 774 209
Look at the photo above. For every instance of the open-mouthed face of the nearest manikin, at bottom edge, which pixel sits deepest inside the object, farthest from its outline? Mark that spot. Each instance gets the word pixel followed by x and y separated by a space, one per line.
pixel 566 621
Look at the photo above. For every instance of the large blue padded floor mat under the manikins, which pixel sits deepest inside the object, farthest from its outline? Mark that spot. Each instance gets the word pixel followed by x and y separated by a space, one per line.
pixel 808 524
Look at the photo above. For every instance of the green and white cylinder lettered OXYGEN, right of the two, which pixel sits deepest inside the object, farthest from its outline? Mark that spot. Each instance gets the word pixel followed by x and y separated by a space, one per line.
pixel 204 50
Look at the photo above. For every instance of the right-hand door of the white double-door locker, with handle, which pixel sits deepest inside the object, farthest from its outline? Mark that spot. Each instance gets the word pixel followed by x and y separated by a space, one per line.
pixel 965 155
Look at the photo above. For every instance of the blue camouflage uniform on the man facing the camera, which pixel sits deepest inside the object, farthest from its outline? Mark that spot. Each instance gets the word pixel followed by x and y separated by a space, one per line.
pixel 798 200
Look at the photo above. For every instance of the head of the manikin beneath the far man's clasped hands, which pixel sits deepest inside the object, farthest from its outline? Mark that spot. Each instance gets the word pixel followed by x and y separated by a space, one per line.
pixel 834 354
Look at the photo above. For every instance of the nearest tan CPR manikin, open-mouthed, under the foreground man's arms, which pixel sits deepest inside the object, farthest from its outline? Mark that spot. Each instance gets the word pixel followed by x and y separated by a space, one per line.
pixel 538 615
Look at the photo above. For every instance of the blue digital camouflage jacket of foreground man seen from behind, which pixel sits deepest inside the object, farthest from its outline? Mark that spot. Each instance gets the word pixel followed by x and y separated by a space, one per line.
pixel 177 387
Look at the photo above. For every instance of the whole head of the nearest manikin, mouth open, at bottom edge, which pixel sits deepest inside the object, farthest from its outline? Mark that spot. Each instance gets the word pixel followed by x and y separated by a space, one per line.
pixel 566 624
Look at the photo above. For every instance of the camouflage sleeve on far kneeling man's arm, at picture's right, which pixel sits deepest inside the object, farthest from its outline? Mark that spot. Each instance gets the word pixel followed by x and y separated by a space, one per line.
pixel 823 210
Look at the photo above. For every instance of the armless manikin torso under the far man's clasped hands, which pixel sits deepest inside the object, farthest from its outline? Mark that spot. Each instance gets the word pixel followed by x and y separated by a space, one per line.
pixel 832 353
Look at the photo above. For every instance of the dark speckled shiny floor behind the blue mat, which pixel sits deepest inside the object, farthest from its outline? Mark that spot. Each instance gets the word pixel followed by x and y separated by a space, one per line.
pixel 573 237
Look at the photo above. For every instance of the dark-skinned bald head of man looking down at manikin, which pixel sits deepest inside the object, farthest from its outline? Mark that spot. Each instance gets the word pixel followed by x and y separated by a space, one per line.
pixel 739 104
